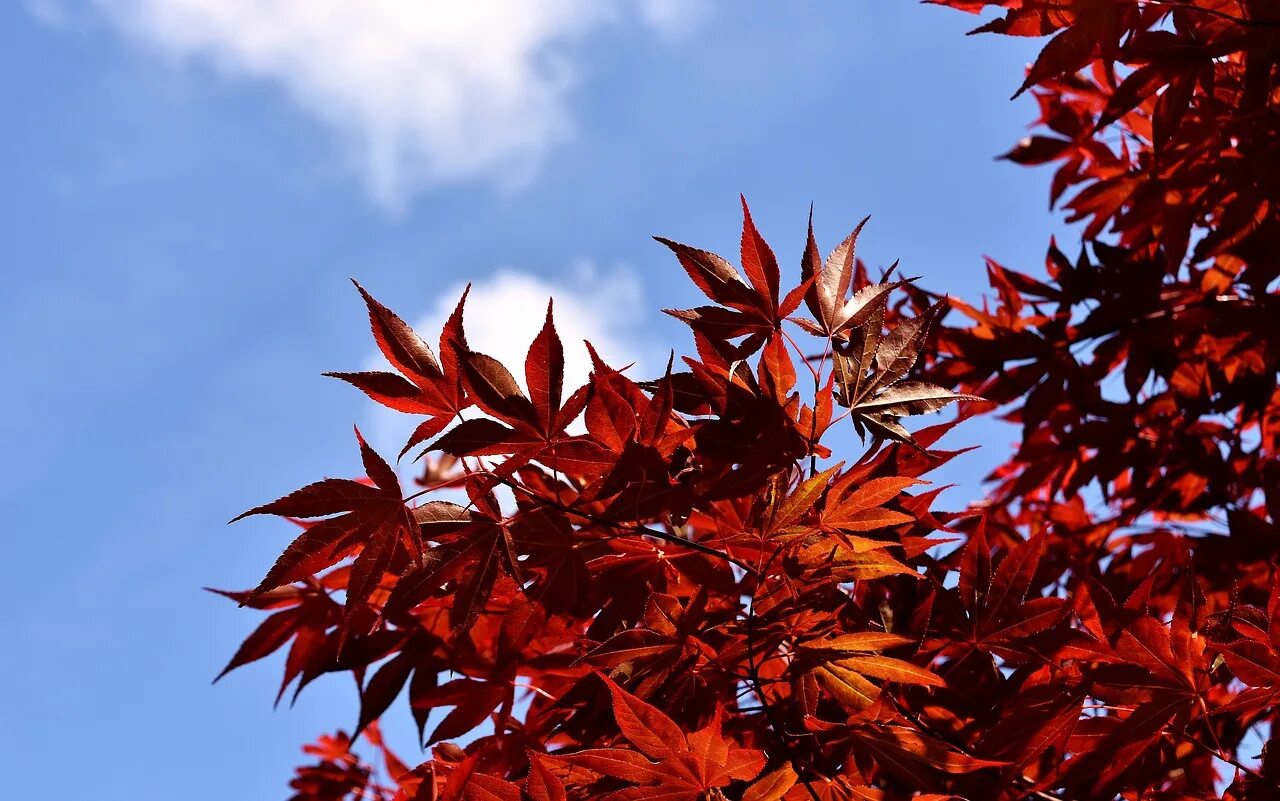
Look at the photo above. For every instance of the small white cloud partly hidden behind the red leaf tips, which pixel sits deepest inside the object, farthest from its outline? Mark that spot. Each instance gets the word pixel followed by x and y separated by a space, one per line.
pixel 506 312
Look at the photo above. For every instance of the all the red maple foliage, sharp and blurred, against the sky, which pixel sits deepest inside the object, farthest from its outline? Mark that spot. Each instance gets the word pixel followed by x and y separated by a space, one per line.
pixel 671 589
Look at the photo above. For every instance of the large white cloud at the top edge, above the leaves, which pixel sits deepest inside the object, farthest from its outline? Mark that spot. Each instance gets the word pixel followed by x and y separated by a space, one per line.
pixel 427 91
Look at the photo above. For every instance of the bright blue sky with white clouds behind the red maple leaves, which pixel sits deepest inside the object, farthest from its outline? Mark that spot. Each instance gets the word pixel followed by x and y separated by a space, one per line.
pixel 189 187
